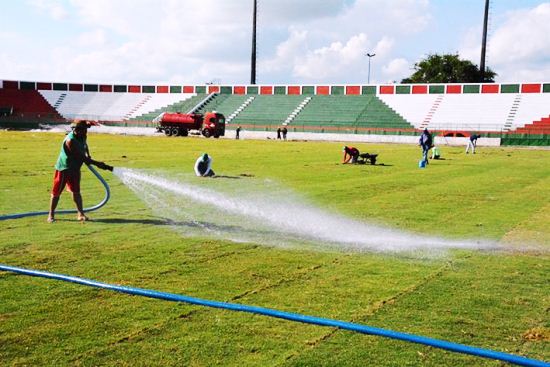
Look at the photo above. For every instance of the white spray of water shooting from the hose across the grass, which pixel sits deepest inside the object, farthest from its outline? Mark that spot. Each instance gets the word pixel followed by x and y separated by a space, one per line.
pixel 260 211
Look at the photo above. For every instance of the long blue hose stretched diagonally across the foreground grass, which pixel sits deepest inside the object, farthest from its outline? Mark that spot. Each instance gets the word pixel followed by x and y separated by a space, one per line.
pixel 364 329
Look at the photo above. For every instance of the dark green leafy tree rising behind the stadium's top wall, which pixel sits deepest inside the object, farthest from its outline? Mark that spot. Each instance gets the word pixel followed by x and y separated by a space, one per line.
pixel 447 69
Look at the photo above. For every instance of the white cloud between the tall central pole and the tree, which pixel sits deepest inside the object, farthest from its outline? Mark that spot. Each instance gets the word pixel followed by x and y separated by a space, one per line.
pixel 332 49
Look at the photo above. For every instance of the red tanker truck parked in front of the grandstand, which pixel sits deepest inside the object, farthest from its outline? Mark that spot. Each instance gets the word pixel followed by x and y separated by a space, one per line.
pixel 180 124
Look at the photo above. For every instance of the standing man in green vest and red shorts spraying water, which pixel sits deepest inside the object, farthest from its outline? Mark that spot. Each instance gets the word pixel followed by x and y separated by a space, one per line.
pixel 74 152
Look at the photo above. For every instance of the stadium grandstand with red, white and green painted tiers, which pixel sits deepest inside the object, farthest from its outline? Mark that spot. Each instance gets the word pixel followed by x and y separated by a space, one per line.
pixel 518 113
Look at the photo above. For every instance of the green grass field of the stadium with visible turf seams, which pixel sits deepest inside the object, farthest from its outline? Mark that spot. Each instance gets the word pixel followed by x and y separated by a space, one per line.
pixel 492 299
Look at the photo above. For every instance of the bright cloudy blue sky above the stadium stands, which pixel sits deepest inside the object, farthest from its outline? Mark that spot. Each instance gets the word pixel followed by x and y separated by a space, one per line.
pixel 298 41
